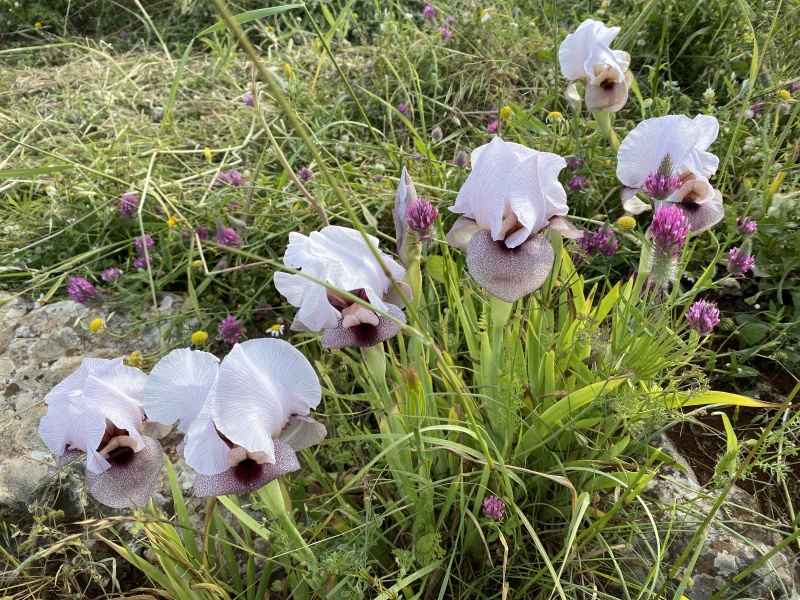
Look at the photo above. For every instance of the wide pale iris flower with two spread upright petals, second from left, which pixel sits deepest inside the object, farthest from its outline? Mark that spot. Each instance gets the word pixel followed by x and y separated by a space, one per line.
pixel 243 419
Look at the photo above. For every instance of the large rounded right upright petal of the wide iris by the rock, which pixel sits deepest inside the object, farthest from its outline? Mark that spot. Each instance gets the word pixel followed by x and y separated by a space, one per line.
pixel 263 385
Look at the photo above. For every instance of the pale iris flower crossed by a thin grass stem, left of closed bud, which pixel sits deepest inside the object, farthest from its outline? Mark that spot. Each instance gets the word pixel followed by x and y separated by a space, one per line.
pixel 340 257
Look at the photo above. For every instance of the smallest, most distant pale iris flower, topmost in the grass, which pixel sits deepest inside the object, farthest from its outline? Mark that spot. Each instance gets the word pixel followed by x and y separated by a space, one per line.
pixel 585 56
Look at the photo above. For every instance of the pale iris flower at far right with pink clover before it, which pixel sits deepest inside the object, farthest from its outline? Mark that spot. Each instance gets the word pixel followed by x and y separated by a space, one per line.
pixel 668 159
